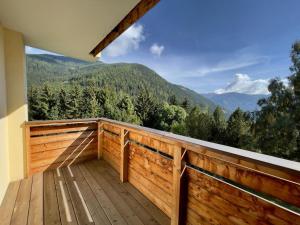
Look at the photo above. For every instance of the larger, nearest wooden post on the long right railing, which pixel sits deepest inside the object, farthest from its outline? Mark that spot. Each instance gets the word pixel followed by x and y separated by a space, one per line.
pixel 178 187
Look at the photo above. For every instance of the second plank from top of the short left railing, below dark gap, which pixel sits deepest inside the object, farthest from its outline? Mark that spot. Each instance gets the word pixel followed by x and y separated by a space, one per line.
pixel 62 137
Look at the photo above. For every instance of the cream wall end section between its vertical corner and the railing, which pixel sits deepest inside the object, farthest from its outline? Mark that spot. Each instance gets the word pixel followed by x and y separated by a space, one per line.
pixel 15 70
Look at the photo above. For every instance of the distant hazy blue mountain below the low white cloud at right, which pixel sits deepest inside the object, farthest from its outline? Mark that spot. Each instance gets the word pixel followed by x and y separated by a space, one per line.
pixel 231 101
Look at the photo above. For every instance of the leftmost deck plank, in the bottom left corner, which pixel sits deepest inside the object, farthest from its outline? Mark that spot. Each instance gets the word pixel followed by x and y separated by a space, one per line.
pixel 8 203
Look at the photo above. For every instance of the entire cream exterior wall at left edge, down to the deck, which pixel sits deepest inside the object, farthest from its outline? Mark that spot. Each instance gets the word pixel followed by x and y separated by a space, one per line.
pixel 13 107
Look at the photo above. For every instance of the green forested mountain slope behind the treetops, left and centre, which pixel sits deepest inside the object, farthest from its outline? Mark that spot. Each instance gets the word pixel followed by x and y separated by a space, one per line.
pixel 126 77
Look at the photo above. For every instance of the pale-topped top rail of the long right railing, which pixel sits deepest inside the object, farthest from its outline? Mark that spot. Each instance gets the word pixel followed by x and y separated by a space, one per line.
pixel 258 157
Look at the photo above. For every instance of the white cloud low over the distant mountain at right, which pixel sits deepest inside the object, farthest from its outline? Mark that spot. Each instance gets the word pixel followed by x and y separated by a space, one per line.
pixel 244 84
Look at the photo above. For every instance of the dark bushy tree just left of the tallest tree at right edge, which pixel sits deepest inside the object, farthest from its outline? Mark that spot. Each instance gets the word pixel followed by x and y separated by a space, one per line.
pixel 275 130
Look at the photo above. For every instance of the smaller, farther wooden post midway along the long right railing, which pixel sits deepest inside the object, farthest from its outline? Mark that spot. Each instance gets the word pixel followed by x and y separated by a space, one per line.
pixel 124 155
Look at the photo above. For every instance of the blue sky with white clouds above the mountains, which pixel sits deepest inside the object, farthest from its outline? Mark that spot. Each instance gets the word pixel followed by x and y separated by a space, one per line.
pixel 213 45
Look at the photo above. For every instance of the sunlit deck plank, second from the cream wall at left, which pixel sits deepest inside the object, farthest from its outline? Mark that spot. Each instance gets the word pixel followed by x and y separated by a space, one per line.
pixel 20 214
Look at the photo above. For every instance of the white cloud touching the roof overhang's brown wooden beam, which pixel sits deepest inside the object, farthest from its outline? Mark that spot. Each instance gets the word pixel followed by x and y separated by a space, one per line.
pixel 128 41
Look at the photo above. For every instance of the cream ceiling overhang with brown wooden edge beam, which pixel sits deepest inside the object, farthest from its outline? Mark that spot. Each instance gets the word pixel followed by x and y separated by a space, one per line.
pixel 75 28
